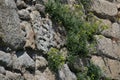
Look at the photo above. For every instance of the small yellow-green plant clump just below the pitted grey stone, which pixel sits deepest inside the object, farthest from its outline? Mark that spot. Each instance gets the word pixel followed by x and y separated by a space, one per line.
pixel 55 59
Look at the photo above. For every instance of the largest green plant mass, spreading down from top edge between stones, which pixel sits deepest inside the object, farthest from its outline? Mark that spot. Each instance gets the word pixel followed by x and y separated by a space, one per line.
pixel 79 31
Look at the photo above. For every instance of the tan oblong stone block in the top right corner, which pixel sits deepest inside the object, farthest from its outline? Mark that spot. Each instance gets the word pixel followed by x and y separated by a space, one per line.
pixel 104 7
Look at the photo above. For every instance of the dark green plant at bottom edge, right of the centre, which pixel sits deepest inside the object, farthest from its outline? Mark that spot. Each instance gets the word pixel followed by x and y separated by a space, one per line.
pixel 92 72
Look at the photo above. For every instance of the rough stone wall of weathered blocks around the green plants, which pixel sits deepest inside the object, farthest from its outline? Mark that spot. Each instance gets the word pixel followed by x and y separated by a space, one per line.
pixel 27 33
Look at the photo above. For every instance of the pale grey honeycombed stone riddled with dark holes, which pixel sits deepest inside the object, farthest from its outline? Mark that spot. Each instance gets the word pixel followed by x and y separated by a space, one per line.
pixel 43 30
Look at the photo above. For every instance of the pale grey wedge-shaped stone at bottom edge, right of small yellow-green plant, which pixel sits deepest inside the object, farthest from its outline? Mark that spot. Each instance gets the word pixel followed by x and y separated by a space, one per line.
pixel 66 74
